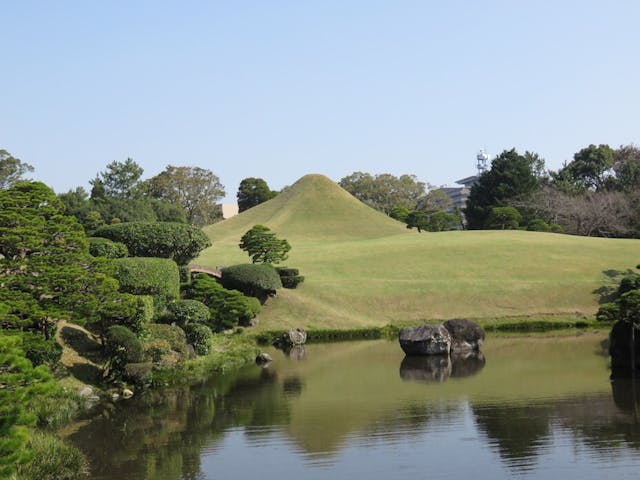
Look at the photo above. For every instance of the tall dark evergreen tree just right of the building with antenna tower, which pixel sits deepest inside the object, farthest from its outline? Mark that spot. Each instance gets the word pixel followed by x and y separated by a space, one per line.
pixel 512 176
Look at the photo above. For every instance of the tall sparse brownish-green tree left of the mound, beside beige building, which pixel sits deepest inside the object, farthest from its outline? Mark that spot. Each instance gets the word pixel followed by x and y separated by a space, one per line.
pixel 194 189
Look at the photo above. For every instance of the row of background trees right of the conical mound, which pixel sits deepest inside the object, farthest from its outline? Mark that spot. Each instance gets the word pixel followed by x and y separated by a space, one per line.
pixel 595 194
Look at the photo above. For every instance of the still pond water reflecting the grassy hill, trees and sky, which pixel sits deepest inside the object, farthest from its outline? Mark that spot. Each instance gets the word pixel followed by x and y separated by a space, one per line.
pixel 534 407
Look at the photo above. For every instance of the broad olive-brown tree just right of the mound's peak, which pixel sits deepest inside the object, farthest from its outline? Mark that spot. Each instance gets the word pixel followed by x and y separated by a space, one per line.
pixel 385 191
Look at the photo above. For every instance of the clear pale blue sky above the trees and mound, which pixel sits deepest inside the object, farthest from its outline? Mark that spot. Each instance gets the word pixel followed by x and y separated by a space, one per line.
pixel 279 89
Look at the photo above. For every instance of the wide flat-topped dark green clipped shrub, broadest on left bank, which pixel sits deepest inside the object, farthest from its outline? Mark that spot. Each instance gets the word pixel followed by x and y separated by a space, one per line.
pixel 178 241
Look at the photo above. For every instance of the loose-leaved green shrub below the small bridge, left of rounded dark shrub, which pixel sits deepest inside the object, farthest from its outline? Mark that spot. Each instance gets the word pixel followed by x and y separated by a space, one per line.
pixel 228 308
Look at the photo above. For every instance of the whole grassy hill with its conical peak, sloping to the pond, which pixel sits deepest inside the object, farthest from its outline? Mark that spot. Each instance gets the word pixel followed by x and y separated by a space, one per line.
pixel 365 269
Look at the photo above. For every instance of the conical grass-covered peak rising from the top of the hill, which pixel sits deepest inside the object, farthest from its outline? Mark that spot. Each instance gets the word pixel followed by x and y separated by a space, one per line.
pixel 314 208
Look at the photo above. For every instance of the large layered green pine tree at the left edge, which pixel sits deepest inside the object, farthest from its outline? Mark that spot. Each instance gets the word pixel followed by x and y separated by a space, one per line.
pixel 45 267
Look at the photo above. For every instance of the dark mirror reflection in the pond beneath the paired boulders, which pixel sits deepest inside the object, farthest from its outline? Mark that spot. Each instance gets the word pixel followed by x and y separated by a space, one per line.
pixel 439 368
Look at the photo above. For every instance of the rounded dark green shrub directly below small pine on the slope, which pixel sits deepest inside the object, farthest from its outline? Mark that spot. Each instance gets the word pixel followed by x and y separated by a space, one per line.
pixel 260 281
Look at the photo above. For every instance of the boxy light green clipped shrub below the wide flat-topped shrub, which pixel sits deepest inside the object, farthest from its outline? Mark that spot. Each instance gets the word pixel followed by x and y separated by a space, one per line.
pixel 157 277
